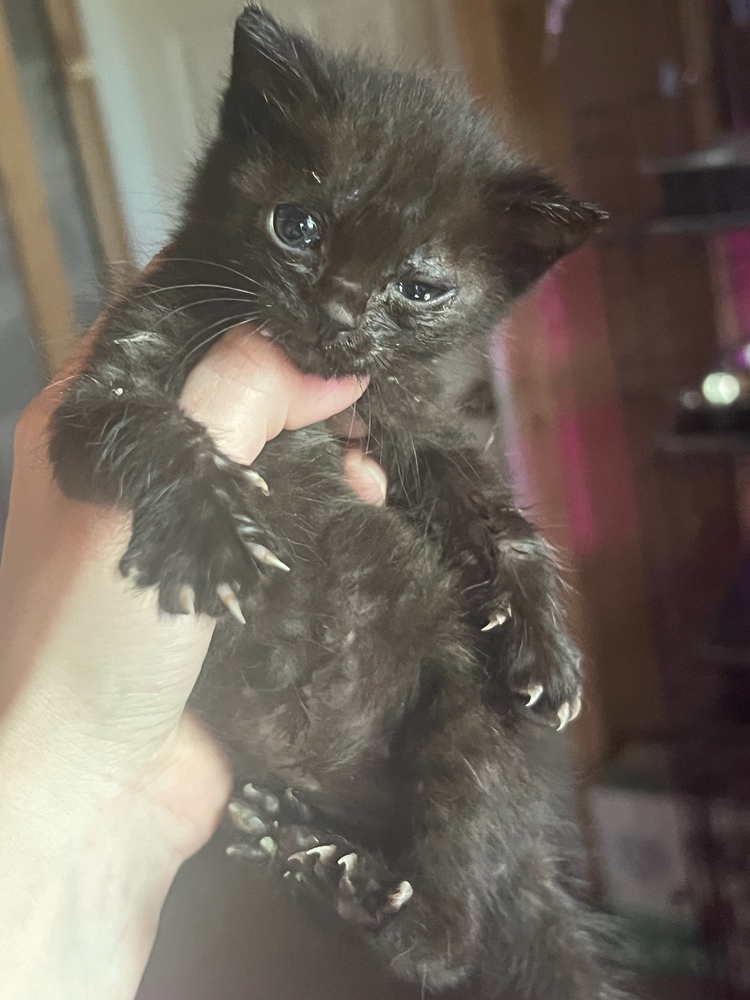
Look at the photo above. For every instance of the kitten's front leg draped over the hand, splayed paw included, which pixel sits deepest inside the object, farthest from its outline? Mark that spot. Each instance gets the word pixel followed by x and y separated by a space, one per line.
pixel 200 531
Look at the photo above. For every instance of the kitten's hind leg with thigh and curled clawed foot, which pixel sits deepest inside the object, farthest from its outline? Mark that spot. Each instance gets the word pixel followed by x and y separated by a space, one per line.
pixel 473 893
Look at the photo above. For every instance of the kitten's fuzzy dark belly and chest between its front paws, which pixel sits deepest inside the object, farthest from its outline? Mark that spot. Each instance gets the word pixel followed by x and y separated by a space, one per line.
pixel 315 690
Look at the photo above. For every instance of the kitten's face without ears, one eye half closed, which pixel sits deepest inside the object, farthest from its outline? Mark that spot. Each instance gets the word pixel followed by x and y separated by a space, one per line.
pixel 360 267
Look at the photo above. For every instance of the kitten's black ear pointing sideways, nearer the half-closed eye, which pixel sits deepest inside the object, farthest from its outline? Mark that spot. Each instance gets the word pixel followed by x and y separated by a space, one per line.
pixel 539 224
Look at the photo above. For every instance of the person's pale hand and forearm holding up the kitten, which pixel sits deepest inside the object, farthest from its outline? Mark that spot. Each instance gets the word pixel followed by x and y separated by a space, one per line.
pixel 107 784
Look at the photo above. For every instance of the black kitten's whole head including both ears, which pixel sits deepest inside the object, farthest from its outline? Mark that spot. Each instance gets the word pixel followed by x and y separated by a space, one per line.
pixel 375 214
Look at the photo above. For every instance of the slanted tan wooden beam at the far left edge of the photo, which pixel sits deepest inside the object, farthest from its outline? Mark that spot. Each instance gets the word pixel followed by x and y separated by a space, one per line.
pixel 22 190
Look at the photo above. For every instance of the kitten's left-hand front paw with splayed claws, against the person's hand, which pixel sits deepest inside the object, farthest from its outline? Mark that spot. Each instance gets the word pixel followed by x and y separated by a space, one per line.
pixel 199 541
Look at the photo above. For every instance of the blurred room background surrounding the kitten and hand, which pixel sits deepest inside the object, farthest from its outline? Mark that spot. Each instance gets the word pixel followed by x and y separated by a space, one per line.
pixel 622 384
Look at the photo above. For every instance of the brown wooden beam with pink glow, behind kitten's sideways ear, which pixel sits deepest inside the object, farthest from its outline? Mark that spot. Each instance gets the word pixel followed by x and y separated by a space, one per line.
pixel 564 386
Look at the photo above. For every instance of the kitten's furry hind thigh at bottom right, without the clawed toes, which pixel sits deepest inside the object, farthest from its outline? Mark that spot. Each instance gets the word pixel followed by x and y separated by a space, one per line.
pixel 483 866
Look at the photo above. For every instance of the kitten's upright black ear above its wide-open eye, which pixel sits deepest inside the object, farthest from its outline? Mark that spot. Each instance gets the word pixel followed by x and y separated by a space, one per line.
pixel 275 73
